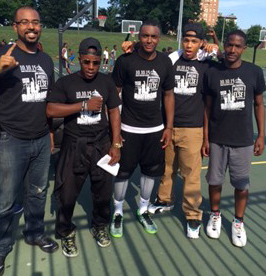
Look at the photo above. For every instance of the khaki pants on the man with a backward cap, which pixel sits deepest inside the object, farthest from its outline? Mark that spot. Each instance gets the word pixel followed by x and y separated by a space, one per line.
pixel 184 153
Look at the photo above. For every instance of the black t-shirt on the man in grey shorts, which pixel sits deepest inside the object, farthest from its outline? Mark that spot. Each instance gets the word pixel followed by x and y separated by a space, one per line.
pixel 232 92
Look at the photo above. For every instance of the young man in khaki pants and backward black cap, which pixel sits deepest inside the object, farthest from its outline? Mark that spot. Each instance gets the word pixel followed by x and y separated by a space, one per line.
pixel 185 150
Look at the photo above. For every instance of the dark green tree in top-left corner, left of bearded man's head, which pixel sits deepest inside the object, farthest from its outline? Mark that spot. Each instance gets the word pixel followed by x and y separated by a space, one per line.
pixel 7 9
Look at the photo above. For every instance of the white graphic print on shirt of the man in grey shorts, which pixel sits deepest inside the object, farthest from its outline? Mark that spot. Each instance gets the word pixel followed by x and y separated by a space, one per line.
pixel 233 98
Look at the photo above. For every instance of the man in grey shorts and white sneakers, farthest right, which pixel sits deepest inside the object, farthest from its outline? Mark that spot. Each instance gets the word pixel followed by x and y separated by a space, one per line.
pixel 231 88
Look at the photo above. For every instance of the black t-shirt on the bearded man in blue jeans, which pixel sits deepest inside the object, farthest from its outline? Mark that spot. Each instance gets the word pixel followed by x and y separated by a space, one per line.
pixel 23 93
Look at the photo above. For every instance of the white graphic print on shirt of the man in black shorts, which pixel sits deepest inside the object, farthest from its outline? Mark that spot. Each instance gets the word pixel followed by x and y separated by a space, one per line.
pixel 146 89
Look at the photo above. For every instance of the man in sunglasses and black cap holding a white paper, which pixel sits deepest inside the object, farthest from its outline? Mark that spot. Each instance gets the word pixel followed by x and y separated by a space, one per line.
pixel 81 98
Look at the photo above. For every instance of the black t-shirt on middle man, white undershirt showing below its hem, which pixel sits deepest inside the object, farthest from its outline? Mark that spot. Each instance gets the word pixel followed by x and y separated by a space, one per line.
pixel 143 82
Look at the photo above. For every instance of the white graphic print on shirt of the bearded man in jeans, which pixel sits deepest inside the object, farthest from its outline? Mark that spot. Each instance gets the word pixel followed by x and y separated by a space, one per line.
pixel 34 88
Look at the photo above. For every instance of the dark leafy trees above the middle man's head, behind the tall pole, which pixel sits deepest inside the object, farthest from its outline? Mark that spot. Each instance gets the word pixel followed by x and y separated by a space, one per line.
pixel 166 12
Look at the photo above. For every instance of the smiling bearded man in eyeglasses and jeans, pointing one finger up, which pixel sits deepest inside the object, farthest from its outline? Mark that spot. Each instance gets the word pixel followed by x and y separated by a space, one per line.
pixel 26 75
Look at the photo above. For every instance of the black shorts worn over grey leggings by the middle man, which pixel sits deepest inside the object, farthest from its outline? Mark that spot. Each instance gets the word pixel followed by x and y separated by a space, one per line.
pixel 144 150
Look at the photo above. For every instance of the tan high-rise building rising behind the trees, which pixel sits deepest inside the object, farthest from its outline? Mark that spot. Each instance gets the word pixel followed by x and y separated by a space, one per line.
pixel 209 11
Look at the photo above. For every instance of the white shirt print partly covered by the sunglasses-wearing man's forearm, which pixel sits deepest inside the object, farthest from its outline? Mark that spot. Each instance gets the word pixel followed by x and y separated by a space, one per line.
pixel 88 117
